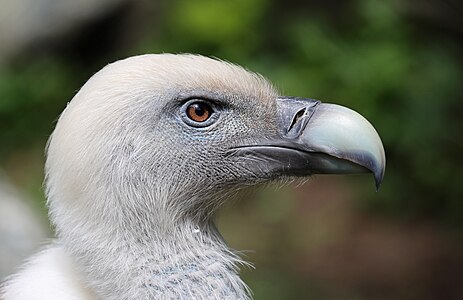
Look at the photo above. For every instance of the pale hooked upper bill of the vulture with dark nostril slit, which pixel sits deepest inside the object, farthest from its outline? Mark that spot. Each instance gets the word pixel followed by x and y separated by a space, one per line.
pixel 336 131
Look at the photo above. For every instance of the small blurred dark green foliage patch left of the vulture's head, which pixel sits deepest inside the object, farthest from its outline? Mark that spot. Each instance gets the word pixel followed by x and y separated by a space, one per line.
pixel 31 97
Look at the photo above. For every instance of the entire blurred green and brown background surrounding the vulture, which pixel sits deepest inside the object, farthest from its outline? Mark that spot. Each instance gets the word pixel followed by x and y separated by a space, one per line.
pixel 399 63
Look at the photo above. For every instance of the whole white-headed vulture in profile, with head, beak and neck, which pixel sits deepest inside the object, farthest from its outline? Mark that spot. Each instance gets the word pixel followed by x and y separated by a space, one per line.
pixel 145 153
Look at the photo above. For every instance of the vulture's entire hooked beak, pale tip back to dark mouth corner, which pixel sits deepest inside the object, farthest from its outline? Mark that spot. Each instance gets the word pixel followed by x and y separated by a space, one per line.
pixel 318 138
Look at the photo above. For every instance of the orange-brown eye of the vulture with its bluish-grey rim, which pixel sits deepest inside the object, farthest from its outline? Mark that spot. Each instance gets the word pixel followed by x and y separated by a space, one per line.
pixel 199 113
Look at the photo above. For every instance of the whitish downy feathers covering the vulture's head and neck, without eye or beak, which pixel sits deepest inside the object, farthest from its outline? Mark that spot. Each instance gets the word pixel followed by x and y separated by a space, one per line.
pixel 130 191
